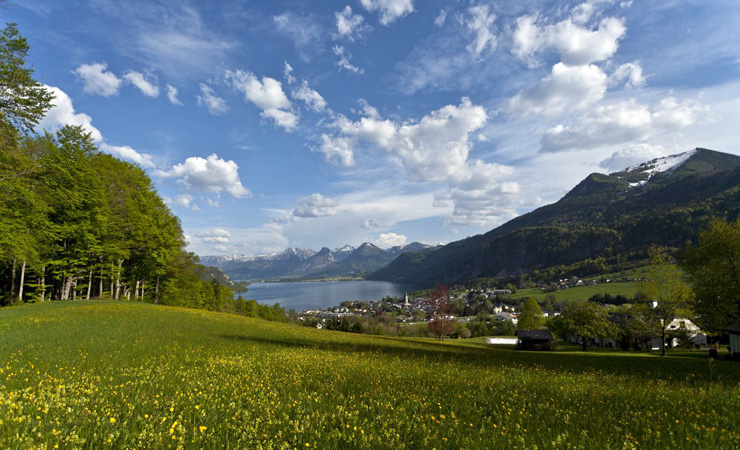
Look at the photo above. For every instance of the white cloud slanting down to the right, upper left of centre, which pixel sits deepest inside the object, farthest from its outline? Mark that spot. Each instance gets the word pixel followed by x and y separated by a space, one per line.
pixel 267 94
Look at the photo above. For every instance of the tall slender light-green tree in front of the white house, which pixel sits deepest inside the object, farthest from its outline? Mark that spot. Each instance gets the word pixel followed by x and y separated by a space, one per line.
pixel 667 296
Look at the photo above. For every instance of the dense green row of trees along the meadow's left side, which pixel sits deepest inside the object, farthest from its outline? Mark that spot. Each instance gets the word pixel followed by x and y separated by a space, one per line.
pixel 76 223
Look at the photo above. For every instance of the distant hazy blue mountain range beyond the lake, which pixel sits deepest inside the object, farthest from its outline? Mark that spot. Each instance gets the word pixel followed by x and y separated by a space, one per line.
pixel 299 263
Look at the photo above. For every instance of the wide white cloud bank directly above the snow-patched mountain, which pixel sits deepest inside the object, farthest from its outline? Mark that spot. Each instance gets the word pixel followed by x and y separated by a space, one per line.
pixel 626 121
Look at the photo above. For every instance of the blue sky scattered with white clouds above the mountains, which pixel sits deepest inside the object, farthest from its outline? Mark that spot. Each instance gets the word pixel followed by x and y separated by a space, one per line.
pixel 270 124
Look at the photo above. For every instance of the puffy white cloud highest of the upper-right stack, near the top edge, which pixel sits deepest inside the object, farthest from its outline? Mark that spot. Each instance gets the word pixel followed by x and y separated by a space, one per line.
pixel 575 43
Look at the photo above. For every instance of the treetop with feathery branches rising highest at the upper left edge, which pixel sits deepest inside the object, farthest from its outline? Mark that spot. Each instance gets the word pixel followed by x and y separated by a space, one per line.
pixel 23 100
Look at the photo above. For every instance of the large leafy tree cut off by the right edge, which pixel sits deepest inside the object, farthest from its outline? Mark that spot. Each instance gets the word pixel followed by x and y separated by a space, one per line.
pixel 714 271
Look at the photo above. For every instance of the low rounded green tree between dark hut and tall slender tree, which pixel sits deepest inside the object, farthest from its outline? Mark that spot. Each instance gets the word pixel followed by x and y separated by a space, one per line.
pixel 584 320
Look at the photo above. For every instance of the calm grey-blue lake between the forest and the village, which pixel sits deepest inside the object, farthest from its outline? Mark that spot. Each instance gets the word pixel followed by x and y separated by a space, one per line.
pixel 321 295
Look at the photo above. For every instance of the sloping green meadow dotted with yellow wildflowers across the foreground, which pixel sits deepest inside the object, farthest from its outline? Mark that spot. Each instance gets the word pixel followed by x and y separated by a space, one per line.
pixel 117 375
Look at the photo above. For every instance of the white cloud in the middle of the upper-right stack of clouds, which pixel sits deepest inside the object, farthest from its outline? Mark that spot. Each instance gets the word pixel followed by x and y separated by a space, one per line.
pixel 565 89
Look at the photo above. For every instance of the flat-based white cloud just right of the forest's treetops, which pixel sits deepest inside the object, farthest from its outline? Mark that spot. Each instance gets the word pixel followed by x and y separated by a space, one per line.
pixel 211 174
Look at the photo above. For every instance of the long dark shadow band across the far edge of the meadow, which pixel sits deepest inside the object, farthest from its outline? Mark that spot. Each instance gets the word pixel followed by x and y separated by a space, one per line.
pixel 645 369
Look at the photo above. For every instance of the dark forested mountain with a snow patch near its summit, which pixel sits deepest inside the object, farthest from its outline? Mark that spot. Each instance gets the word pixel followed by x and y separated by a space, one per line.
pixel 604 223
